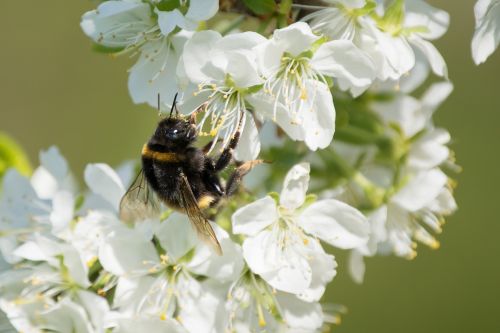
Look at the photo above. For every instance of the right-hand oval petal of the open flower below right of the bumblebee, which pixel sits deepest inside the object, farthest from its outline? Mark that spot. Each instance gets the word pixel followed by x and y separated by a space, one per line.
pixel 336 223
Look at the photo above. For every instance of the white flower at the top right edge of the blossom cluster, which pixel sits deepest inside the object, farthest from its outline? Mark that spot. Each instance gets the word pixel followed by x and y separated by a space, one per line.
pixel 389 40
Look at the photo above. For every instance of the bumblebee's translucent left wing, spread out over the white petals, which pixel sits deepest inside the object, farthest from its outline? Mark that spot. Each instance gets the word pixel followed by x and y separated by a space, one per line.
pixel 139 202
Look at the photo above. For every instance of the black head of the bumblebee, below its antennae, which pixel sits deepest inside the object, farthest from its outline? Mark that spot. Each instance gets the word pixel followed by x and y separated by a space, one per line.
pixel 175 132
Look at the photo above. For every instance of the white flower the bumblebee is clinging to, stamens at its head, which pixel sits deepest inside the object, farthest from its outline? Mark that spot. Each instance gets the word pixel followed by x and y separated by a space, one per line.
pixel 225 72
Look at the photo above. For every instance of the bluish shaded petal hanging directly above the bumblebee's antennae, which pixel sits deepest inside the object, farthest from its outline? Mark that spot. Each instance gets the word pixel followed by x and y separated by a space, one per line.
pixel 154 73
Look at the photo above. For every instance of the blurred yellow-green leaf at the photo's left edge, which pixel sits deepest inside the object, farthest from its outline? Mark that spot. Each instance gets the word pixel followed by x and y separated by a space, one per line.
pixel 12 156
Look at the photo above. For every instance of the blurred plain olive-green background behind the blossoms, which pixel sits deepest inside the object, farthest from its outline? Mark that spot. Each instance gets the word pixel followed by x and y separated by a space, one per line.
pixel 55 90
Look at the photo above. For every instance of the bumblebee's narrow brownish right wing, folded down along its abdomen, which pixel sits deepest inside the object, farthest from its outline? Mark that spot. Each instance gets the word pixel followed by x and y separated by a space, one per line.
pixel 199 222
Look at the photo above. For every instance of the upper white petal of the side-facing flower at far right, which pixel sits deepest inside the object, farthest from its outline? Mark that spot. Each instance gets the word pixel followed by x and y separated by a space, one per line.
pixel 421 190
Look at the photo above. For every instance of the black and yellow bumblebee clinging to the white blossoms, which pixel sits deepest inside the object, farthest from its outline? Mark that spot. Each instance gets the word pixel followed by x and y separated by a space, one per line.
pixel 182 176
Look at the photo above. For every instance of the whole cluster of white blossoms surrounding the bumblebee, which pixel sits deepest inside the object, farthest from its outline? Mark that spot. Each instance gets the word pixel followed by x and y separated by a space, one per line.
pixel 327 90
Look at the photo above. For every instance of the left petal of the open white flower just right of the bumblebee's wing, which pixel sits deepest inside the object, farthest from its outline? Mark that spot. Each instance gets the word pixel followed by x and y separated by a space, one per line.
pixel 254 217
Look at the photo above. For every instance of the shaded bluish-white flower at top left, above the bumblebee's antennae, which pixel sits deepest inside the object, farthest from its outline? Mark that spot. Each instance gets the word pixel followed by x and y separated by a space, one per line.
pixel 130 26
